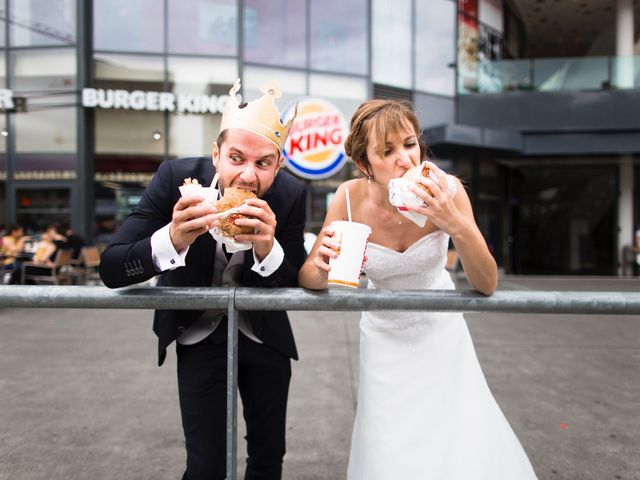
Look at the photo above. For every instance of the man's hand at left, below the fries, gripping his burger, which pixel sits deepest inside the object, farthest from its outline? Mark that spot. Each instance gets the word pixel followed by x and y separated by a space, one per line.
pixel 192 216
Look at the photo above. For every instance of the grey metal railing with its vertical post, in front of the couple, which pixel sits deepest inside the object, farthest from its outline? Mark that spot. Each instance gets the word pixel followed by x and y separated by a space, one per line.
pixel 239 298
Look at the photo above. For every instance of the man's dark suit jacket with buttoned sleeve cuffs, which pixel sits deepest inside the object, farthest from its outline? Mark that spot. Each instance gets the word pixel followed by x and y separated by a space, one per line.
pixel 127 260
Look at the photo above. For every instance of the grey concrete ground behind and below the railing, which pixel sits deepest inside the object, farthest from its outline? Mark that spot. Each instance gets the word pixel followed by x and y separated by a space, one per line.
pixel 81 397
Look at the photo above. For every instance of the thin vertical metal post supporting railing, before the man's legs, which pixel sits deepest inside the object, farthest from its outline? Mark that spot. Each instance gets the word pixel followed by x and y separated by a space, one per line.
pixel 232 386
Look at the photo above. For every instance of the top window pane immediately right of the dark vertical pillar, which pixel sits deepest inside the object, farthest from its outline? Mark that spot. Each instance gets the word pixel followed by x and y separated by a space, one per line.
pixel 128 25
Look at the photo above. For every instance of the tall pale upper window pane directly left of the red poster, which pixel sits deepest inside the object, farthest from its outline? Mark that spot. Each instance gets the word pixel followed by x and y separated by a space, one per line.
pixel 435 47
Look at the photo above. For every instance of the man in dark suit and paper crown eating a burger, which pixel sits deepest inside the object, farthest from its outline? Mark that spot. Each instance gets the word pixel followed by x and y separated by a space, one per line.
pixel 167 235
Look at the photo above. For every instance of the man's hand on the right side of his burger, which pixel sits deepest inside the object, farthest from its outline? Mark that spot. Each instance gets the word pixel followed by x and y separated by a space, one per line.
pixel 263 220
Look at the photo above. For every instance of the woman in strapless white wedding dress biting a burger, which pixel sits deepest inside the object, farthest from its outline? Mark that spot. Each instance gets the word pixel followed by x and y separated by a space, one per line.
pixel 424 408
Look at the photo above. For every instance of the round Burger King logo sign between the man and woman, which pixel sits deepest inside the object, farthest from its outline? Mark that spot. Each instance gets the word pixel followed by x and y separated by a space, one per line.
pixel 315 145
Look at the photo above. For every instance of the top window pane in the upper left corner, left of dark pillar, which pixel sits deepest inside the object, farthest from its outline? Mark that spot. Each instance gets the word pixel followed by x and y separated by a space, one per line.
pixel 42 22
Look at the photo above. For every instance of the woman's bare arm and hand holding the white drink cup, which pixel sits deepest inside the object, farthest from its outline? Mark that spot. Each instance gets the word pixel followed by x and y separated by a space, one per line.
pixel 314 271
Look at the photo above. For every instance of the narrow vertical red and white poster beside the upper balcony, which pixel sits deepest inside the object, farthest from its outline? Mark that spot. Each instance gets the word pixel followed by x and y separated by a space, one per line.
pixel 467 45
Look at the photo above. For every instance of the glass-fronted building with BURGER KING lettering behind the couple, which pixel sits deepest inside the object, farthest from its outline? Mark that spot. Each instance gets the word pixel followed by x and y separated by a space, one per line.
pixel 532 103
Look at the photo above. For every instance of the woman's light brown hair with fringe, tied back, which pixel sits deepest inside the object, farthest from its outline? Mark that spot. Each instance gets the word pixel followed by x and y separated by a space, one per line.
pixel 379 119
